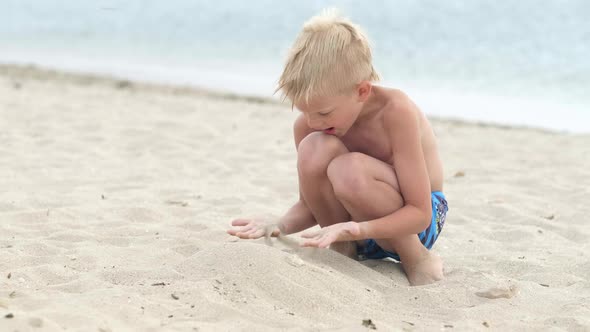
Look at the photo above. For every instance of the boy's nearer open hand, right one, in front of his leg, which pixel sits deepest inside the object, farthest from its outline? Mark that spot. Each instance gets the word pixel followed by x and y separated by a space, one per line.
pixel 346 231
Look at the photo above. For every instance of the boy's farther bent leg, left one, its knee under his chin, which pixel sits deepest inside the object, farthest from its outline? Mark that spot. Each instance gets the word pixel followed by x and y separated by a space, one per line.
pixel 314 154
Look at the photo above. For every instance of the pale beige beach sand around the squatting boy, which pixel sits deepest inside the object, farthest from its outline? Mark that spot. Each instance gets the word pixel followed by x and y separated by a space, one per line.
pixel 115 197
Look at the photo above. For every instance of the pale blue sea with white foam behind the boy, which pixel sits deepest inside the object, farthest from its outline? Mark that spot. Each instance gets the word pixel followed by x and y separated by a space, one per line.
pixel 512 62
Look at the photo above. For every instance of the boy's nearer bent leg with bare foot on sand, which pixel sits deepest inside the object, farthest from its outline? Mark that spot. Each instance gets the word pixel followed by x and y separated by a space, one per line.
pixel 368 189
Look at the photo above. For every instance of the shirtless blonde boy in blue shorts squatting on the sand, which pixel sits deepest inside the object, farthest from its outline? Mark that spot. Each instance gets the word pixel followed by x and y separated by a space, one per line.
pixel 369 171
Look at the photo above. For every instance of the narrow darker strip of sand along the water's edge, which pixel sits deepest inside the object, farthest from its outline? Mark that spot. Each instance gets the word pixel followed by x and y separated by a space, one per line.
pixel 32 71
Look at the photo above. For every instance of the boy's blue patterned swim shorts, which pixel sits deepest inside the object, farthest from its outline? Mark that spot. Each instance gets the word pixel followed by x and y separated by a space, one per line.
pixel 371 250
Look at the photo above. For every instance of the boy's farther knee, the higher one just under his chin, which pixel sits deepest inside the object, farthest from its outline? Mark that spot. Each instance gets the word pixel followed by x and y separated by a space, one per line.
pixel 316 151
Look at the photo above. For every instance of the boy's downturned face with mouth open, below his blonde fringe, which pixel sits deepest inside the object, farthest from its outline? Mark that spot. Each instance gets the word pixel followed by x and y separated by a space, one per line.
pixel 333 115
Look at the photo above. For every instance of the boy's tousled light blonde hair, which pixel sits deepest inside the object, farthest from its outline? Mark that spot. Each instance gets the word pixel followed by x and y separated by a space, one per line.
pixel 329 57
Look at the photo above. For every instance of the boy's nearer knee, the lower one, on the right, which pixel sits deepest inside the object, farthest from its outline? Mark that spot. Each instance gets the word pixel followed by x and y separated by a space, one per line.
pixel 347 175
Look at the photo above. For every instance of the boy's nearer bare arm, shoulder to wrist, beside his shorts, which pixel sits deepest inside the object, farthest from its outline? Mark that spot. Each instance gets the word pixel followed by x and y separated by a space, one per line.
pixel 403 125
